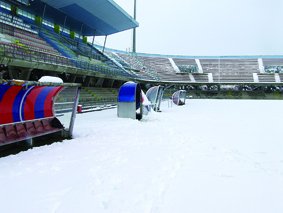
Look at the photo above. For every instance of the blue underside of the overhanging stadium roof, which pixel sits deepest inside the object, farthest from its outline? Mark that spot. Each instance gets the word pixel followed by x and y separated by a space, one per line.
pixel 105 16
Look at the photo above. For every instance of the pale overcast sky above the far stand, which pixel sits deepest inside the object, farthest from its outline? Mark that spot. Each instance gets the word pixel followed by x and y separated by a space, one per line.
pixel 203 27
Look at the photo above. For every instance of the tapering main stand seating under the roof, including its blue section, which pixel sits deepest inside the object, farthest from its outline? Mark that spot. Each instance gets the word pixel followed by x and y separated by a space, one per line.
pixel 48 46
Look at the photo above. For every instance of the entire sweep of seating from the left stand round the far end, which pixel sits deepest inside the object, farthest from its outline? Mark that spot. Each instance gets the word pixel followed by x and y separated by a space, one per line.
pixel 27 41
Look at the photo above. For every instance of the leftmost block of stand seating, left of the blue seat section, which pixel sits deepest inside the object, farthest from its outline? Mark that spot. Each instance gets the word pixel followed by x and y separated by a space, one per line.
pixel 19 40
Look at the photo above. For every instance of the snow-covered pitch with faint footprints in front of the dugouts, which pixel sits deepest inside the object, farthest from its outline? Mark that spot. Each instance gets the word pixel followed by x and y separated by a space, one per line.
pixel 206 156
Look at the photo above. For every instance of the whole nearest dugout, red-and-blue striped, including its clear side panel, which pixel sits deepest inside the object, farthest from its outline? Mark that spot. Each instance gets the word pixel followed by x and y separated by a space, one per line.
pixel 27 110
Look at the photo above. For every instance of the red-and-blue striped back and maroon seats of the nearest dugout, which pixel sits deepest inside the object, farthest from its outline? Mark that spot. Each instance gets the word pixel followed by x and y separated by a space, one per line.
pixel 26 111
